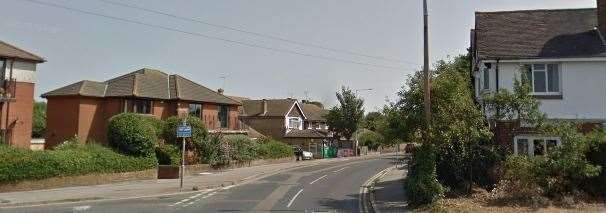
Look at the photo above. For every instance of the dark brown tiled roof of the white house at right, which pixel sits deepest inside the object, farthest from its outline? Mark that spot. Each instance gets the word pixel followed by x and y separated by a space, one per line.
pixel 529 34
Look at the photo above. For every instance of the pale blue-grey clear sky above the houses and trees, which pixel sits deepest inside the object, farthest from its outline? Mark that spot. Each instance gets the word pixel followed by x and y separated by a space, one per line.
pixel 379 42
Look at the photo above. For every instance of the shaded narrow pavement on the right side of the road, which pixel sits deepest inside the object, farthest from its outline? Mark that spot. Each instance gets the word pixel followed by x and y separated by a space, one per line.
pixel 388 192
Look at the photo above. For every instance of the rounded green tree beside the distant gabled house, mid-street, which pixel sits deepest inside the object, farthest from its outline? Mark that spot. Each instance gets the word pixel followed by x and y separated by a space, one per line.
pixel 344 119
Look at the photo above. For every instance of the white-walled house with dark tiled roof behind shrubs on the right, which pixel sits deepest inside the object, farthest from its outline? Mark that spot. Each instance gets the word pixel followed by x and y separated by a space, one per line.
pixel 563 54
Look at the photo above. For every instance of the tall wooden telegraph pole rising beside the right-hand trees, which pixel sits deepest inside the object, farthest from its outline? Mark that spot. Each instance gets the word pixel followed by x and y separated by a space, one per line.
pixel 426 74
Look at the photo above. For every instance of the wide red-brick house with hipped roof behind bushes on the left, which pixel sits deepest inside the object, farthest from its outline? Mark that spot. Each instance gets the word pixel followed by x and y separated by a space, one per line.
pixel 83 109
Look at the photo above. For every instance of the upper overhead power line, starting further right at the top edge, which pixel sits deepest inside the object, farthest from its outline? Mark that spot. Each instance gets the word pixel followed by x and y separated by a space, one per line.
pixel 254 33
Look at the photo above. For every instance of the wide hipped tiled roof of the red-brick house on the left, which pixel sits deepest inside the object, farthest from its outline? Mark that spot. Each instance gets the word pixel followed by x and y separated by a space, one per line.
pixel 144 83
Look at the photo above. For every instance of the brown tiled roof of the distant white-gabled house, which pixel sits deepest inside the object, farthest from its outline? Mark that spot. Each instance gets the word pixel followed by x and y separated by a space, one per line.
pixel 275 107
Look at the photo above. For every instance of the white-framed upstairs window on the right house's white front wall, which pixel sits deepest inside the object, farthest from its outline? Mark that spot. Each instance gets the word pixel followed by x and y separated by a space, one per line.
pixel 544 78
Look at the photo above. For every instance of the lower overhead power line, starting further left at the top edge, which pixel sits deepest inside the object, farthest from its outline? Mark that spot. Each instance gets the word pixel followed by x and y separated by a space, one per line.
pixel 213 37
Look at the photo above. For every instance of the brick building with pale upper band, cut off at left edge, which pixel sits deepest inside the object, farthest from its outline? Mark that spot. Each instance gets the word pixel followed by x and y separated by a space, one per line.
pixel 17 94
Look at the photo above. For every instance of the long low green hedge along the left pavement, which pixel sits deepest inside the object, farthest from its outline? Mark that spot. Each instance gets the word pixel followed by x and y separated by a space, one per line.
pixel 69 160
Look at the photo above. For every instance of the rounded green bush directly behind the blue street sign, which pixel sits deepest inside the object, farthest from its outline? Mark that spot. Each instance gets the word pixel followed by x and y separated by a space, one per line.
pixel 169 133
